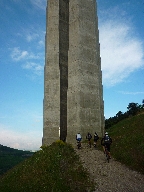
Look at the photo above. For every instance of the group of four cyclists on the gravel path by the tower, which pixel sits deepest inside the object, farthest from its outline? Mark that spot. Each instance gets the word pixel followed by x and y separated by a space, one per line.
pixel 105 141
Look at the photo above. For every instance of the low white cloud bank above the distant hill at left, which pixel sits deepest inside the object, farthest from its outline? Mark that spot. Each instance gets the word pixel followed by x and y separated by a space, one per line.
pixel 31 140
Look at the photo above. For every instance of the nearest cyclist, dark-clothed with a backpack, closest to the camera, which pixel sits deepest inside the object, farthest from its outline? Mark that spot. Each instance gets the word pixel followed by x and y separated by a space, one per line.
pixel 106 141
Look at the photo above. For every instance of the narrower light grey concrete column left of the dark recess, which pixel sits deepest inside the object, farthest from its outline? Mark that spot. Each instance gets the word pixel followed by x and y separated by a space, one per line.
pixel 51 105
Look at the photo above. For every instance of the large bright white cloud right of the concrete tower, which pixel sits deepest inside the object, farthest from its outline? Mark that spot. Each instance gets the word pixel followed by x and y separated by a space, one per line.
pixel 121 51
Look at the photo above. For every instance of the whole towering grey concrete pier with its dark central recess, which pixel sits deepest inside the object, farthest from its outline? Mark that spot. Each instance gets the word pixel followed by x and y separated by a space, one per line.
pixel 73 93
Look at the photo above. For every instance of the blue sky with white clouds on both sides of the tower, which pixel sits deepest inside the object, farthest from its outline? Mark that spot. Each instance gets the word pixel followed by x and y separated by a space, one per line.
pixel 22 52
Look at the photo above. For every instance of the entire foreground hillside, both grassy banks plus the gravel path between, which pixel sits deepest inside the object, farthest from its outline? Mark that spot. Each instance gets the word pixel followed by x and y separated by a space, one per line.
pixel 58 168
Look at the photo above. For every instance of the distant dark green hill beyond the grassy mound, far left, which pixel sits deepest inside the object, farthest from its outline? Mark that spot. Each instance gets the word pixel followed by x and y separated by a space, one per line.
pixel 10 157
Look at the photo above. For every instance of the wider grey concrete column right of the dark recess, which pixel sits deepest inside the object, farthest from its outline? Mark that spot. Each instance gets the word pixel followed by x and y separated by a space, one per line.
pixel 85 92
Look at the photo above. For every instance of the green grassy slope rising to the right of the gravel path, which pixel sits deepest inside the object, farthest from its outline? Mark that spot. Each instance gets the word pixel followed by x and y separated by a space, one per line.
pixel 128 142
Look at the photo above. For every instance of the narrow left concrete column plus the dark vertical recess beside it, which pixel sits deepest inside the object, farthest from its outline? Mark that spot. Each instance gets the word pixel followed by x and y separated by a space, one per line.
pixel 56 71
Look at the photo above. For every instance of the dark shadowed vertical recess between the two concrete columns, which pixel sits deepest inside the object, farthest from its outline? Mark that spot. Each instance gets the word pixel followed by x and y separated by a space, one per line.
pixel 63 63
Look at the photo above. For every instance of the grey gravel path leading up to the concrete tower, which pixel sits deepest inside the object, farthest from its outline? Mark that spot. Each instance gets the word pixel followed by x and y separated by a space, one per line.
pixel 112 176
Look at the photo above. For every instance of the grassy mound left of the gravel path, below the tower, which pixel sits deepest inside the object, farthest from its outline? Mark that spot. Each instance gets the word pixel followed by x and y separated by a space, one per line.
pixel 54 168
